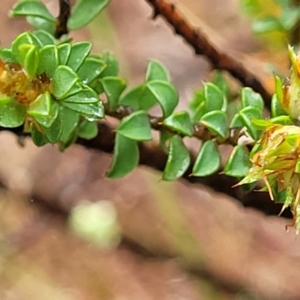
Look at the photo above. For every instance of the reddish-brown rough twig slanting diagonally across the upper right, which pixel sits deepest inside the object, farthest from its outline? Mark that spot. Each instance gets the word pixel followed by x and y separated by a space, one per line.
pixel 203 46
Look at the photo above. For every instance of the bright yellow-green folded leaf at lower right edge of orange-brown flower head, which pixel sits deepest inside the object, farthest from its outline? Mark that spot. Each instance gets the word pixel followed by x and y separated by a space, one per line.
pixel 44 110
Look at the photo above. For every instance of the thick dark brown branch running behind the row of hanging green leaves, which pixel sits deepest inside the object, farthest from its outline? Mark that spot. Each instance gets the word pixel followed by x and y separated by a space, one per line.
pixel 153 156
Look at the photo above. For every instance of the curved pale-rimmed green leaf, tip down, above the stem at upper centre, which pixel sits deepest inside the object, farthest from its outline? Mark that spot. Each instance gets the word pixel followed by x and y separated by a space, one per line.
pixel 165 95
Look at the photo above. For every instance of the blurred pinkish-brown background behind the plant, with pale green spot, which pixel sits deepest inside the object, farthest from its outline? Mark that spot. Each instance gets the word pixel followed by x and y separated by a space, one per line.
pixel 67 232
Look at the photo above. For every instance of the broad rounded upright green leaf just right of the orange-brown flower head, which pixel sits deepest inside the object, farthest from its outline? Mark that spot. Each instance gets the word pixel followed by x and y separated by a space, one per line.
pixel 64 79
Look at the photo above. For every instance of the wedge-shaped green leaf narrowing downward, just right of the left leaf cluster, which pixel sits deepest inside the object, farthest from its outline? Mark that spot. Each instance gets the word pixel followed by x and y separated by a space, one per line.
pixel 113 88
